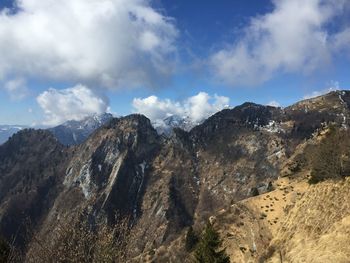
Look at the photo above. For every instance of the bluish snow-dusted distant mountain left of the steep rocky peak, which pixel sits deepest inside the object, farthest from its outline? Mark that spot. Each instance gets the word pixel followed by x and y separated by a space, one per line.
pixel 76 132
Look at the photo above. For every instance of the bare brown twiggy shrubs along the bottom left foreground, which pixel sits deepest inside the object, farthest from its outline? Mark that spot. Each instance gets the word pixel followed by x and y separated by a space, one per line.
pixel 78 241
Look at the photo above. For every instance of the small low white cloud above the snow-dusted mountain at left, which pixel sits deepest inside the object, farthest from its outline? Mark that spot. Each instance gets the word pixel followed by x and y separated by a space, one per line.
pixel 70 104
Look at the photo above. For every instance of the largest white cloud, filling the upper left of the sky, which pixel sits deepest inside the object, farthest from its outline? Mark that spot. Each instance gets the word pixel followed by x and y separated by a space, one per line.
pixel 111 43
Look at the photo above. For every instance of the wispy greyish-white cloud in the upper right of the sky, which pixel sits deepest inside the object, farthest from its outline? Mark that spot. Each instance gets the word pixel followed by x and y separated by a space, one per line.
pixel 293 38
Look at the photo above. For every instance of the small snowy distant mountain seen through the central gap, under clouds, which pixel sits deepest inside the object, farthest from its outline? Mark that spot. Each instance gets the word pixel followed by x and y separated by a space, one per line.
pixel 166 125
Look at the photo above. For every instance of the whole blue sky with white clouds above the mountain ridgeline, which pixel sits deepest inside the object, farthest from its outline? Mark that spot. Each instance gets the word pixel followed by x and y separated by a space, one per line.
pixel 64 60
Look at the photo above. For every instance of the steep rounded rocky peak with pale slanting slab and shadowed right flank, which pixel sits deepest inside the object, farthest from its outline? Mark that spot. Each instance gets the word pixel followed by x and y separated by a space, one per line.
pixel 111 165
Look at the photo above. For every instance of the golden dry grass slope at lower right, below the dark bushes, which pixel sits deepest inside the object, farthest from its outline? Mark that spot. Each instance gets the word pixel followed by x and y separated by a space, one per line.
pixel 312 226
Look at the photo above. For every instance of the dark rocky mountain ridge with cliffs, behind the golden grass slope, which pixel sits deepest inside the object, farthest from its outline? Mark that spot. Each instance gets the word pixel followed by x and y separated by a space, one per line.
pixel 161 184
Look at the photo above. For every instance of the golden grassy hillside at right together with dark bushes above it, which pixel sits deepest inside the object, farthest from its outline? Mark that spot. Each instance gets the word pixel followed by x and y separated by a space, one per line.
pixel 297 221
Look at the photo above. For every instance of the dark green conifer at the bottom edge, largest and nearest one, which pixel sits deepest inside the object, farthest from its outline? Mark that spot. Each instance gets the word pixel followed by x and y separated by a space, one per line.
pixel 208 248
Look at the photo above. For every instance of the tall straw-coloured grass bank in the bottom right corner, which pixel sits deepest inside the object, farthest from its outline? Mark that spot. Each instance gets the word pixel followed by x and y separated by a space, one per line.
pixel 317 229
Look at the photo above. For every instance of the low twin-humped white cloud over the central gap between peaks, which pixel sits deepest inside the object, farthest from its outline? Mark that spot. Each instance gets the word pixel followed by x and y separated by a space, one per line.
pixel 197 108
